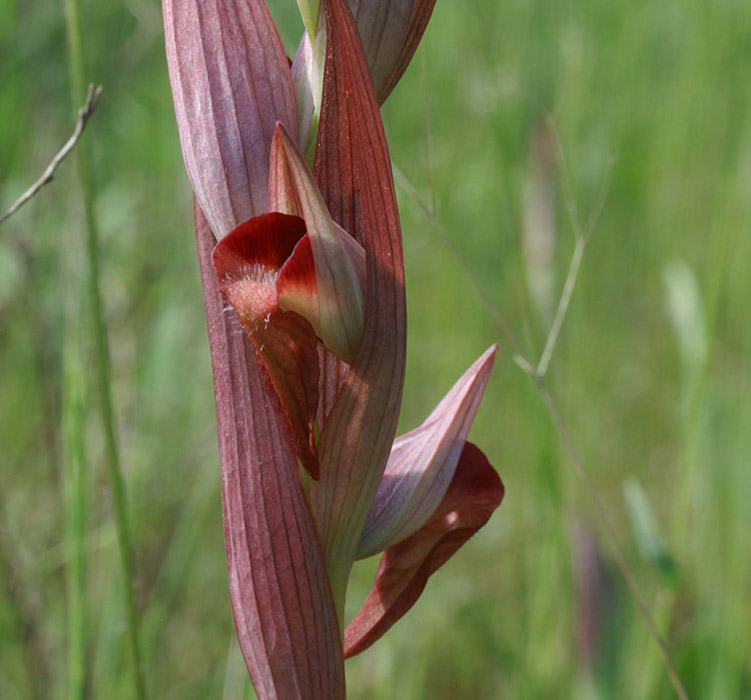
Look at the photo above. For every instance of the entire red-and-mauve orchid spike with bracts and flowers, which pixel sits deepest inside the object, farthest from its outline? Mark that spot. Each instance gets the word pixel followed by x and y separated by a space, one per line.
pixel 309 357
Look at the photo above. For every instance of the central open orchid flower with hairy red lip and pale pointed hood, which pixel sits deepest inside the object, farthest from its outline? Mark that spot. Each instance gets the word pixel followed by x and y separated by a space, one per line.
pixel 293 275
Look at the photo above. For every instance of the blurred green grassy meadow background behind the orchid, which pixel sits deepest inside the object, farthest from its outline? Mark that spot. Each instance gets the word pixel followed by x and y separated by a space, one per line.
pixel 652 373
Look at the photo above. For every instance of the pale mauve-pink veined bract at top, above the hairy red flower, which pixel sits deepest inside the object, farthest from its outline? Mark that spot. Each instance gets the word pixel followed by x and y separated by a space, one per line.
pixel 231 83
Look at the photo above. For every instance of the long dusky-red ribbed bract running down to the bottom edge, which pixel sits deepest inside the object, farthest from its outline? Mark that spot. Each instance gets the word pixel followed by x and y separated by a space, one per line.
pixel 280 594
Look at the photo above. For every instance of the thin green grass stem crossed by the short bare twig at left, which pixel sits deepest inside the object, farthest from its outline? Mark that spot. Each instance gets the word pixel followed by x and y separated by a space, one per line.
pixel 101 352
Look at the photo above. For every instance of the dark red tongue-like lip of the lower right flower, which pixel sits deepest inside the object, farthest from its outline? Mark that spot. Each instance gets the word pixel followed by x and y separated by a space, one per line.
pixel 475 492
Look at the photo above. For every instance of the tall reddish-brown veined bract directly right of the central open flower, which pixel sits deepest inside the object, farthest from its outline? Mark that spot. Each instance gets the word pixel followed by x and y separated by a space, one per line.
pixel 354 174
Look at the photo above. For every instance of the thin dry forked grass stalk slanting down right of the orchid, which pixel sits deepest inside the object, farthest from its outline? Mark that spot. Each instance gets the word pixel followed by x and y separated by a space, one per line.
pixel 538 378
